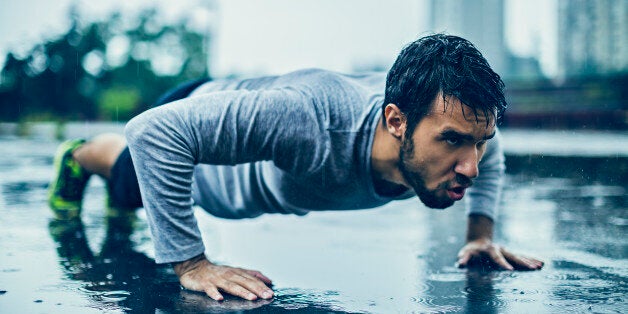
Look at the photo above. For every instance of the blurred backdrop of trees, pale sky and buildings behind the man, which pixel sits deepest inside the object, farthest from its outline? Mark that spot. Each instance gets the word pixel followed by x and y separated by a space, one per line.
pixel 565 62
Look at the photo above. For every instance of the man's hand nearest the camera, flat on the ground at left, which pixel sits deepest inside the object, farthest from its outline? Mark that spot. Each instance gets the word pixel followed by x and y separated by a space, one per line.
pixel 199 274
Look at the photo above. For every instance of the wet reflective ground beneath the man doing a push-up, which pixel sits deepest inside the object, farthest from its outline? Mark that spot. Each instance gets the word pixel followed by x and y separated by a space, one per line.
pixel 570 212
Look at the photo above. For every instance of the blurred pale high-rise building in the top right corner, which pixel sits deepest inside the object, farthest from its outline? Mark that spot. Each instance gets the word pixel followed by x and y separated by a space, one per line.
pixel 592 37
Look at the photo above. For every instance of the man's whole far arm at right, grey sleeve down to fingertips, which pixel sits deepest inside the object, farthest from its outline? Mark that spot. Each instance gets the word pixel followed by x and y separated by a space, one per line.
pixel 482 210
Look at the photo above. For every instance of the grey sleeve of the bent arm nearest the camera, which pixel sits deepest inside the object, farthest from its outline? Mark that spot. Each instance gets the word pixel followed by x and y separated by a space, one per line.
pixel 223 128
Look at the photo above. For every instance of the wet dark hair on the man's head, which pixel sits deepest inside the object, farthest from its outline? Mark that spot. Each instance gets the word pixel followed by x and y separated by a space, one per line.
pixel 447 64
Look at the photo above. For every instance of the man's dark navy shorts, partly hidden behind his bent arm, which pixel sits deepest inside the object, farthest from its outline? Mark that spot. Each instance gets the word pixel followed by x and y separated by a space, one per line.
pixel 124 192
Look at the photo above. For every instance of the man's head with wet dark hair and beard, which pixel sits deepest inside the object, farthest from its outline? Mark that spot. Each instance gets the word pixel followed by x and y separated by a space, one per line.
pixel 442 104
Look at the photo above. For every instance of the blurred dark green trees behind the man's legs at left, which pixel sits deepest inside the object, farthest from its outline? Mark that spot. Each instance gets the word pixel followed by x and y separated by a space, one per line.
pixel 101 70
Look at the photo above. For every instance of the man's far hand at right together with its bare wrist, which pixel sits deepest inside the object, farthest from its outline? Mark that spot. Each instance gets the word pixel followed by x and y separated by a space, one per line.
pixel 481 249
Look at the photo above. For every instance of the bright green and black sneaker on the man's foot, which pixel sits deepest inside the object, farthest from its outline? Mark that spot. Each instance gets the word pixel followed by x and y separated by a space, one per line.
pixel 65 194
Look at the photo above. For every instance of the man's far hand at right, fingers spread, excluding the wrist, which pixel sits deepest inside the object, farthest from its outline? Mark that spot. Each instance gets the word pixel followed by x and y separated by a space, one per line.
pixel 484 250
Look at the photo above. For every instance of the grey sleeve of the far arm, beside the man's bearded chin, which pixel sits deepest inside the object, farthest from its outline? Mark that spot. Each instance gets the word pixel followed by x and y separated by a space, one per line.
pixel 484 196
